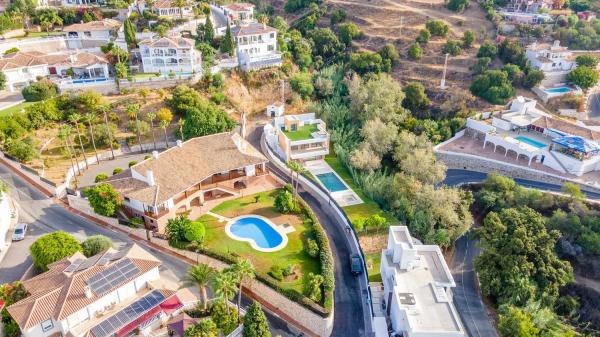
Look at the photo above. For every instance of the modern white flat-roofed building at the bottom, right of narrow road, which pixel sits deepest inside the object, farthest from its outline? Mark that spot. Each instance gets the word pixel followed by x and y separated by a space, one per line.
pixel 417 288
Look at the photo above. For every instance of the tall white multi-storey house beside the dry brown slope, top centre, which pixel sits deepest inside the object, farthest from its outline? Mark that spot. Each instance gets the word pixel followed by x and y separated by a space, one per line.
pixel 256 46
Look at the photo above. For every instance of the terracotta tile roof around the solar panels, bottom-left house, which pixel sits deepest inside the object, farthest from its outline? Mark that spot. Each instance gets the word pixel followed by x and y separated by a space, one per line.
pixel 57 293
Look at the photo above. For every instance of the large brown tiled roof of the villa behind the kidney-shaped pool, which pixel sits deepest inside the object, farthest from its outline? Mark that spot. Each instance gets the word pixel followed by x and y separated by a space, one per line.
pixel 178 168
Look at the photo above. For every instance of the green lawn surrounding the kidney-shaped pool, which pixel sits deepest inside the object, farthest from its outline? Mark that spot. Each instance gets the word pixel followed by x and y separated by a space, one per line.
pixel 217 240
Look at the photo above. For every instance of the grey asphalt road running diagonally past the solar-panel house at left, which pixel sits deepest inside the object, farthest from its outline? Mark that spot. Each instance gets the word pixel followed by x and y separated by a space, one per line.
pixel 44 216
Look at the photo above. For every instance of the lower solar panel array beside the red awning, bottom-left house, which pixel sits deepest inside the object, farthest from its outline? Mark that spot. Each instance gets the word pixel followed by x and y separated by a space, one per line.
pixel 130 313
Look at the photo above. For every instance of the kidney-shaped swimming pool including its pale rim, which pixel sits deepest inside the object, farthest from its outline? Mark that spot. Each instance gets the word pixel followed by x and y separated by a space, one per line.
pixel 259 231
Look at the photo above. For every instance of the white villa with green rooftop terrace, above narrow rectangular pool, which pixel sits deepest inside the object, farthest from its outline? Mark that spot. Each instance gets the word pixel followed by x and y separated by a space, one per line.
pixel 299 137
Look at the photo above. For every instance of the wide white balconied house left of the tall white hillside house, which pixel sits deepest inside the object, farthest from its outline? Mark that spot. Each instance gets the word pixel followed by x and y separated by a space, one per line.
pixel 170 54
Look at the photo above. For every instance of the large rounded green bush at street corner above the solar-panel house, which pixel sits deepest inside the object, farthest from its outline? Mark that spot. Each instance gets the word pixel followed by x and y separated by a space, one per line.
pixel 52 247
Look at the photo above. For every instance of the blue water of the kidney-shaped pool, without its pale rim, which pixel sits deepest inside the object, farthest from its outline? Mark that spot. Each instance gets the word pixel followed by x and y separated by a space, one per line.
pixel 257 230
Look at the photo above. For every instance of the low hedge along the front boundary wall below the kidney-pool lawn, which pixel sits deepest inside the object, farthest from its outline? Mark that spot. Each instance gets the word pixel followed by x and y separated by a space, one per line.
pixel 269 281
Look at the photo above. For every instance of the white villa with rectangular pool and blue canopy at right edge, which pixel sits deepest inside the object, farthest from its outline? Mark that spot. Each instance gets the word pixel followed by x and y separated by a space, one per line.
pixel 523 131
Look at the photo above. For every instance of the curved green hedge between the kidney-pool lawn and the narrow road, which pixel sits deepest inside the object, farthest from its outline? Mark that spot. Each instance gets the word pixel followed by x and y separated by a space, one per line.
pixel 325 257
